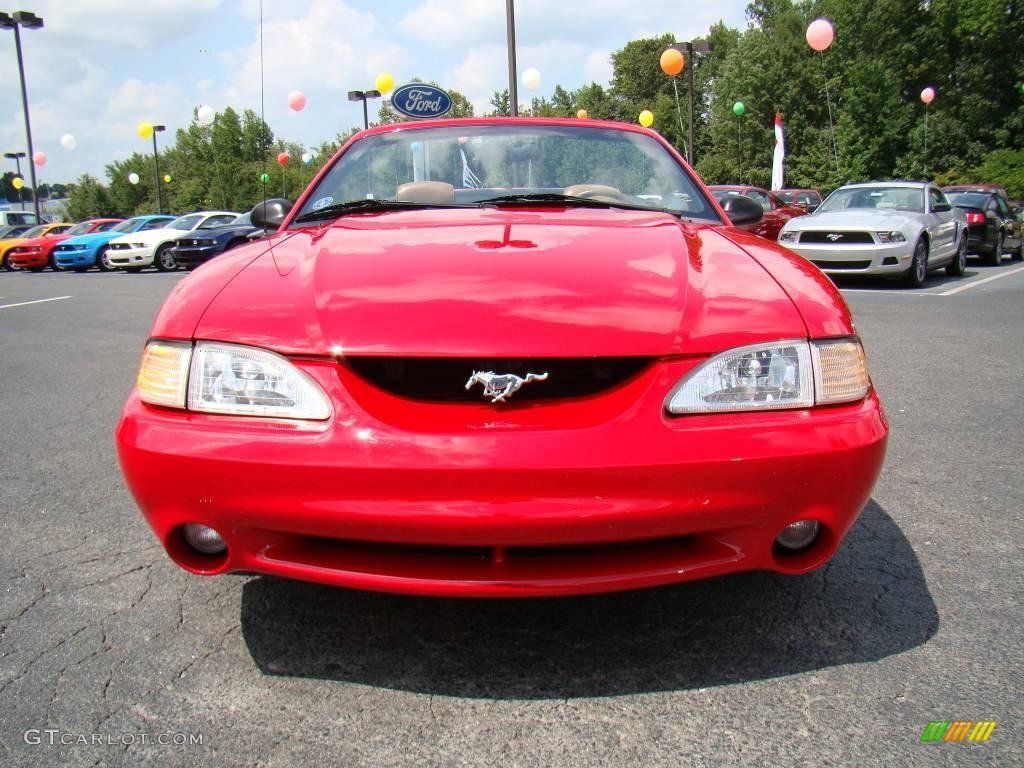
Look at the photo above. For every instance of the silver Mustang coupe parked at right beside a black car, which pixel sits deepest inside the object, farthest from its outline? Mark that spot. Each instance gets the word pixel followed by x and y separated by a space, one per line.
pixel 891 229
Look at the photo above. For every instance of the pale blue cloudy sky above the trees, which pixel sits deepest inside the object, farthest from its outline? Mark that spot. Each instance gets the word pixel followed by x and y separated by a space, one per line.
pixel 100 68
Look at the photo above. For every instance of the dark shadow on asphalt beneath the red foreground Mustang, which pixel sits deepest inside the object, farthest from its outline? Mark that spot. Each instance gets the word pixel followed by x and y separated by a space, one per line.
pixel 872 602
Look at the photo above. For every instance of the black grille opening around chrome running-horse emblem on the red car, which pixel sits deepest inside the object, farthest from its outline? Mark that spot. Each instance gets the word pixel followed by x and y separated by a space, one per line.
pixel 444 379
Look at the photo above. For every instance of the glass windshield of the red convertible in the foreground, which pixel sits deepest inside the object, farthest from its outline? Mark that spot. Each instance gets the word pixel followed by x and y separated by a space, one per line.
pixel 482 162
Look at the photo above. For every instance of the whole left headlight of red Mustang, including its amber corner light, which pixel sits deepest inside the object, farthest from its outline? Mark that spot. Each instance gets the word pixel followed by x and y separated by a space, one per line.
pixel 229 379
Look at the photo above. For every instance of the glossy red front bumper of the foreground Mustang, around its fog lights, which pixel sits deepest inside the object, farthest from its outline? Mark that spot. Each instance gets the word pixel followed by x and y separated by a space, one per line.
pixel 593 496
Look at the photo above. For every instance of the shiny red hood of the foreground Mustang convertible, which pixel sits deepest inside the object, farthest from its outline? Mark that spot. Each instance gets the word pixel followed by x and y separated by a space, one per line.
pixel 502 283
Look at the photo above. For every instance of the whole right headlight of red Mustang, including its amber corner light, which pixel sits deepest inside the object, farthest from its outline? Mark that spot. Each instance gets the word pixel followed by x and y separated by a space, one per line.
pixel 789 374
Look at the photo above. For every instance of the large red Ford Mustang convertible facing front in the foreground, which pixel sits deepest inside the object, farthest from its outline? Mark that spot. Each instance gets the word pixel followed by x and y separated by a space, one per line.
pixel 503 358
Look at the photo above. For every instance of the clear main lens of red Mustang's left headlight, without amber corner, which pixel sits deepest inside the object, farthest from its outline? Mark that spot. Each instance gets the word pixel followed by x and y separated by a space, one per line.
pixel 231 379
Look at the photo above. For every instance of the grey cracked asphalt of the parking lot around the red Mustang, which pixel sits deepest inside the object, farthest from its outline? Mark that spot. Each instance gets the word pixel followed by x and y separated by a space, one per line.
pixel 107 649
